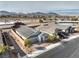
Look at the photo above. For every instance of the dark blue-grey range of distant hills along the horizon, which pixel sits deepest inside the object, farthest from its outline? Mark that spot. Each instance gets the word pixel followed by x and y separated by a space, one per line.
pixel 6 13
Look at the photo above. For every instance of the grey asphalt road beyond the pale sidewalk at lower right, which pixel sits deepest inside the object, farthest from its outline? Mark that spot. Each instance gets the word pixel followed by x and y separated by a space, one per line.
pixel 66 50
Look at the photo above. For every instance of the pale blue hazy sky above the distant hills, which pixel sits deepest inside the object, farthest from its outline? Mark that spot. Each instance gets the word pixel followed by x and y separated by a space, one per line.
pixel 39 6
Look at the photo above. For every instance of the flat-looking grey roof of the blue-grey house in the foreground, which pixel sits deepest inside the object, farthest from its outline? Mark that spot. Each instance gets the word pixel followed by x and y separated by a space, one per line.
pixel 26 31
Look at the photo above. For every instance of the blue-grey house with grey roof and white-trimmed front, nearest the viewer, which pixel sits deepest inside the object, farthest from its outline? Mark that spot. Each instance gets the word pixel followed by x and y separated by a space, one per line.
pixel 28 33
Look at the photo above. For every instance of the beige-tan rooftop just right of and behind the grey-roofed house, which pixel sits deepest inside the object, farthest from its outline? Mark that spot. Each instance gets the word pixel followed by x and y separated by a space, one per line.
pixel 47 27
